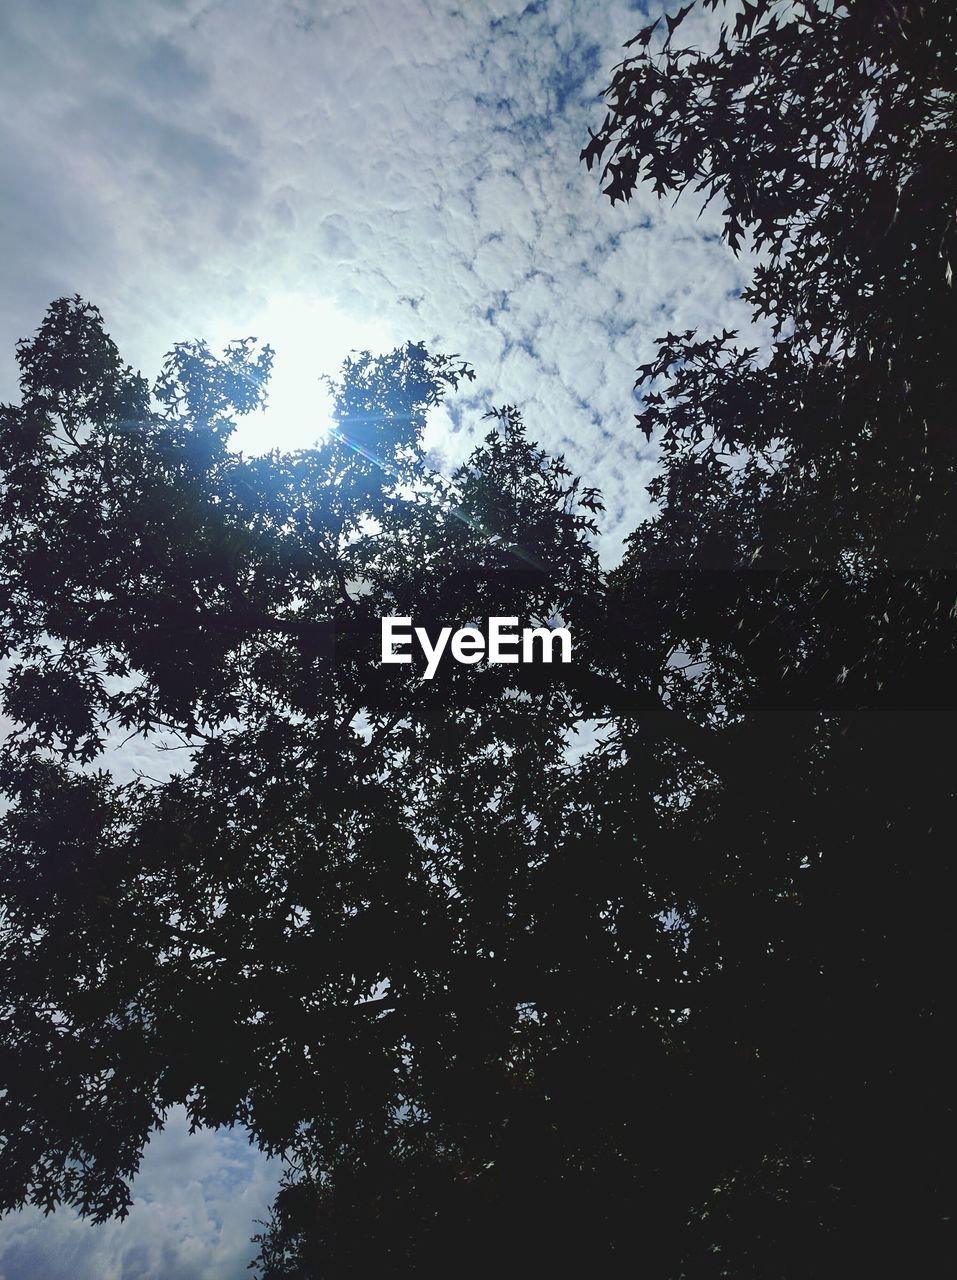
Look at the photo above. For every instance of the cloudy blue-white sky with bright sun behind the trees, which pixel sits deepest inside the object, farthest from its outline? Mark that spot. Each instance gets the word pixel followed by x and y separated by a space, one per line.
pixel 327 177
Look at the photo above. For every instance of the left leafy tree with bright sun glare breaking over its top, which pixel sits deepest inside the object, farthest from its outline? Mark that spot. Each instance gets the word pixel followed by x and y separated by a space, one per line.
pixel 202 940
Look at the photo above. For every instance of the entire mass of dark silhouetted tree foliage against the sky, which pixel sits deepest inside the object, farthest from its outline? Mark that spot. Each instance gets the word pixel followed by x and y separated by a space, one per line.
pixel 675 1009
